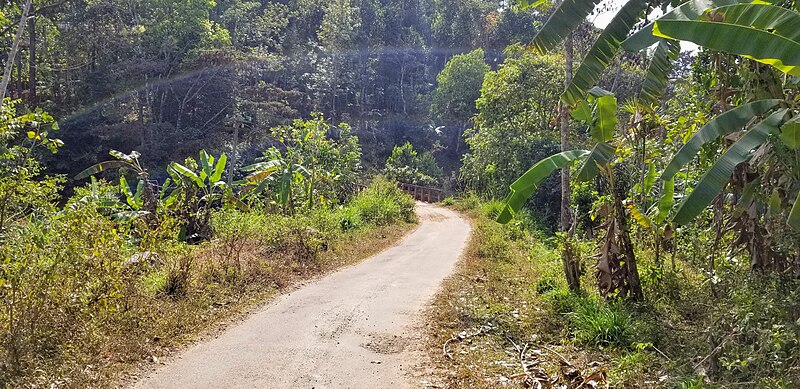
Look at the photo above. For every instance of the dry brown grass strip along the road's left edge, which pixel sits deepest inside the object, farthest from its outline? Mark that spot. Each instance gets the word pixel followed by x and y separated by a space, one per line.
pixel 165 326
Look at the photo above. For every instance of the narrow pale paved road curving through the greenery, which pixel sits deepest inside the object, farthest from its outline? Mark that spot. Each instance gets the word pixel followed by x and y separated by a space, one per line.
pixel 352 329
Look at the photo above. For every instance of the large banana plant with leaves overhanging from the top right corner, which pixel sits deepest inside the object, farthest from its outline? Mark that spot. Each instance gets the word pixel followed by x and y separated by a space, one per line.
pixel 753 29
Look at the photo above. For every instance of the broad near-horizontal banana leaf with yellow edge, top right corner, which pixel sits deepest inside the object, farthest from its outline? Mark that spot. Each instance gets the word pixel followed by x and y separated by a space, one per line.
pixel 742 39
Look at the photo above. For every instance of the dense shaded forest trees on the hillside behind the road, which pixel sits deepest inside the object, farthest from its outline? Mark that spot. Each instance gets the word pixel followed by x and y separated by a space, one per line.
pixel 168 78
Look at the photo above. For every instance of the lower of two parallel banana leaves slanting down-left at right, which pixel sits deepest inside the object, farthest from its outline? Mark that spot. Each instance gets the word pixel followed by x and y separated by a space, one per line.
pixel 717 177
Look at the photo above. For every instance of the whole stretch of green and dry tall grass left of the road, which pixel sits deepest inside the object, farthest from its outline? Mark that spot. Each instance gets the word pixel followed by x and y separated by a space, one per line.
pixel 81 295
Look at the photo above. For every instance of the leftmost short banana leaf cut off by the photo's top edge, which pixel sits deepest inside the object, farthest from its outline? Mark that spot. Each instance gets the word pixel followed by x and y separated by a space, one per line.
pixel 566 18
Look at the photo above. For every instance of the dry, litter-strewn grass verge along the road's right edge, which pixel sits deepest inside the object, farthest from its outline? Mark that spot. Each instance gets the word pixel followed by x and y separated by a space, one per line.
pixel 491 318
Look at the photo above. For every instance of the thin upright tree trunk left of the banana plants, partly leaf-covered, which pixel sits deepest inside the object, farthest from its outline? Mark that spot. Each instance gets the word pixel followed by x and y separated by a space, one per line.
pixel 571 266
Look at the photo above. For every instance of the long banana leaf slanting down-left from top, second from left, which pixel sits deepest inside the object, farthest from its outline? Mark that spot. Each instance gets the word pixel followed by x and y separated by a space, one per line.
pixel 604 50
